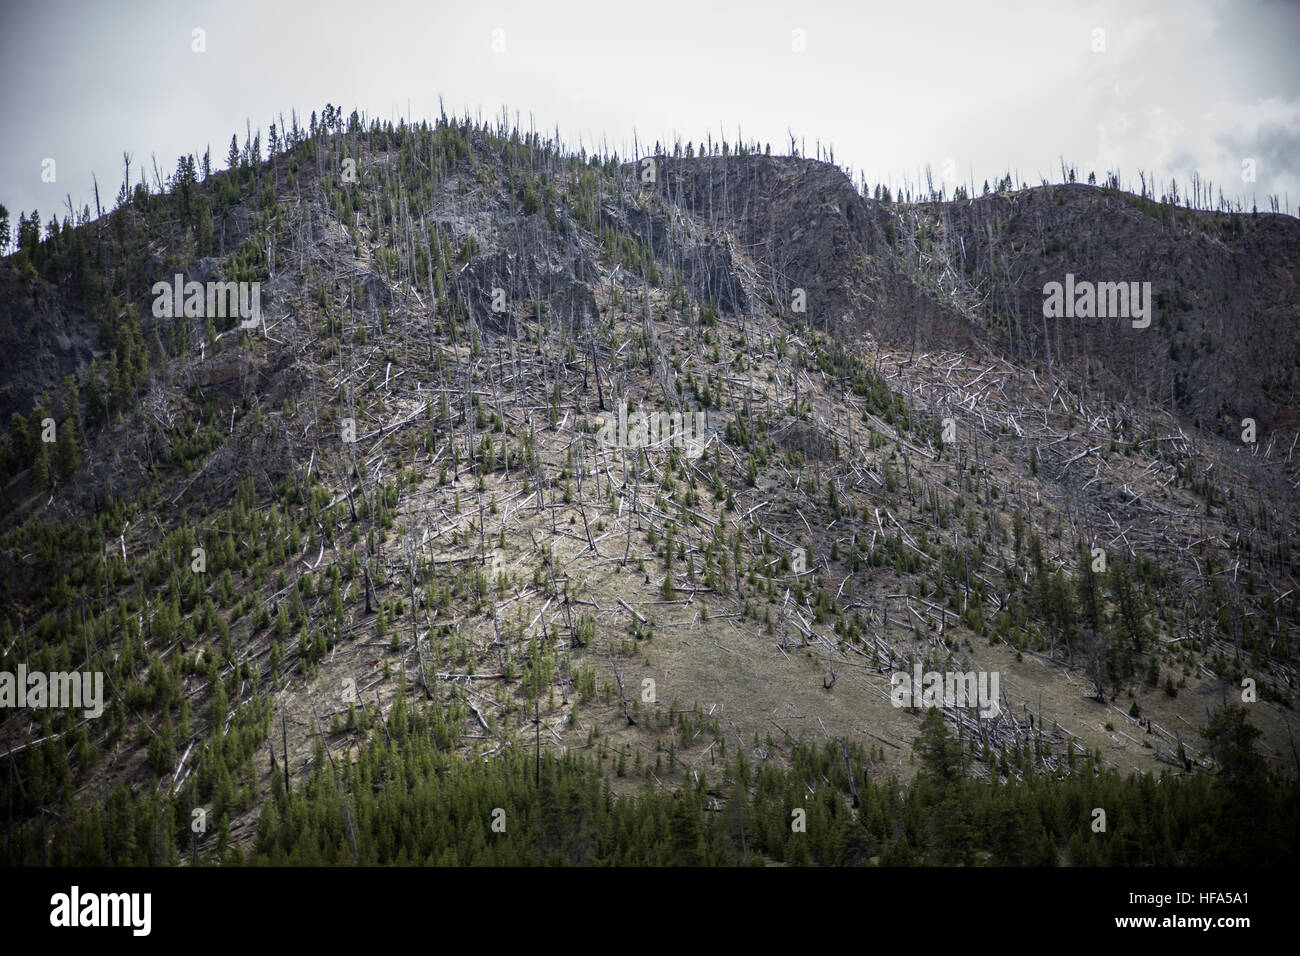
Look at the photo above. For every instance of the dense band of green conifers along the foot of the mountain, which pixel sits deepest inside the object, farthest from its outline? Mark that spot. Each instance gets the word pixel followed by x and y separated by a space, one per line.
pixel 409 798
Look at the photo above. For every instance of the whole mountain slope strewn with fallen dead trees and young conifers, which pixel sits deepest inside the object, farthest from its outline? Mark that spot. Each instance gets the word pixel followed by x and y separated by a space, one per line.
pixel 415 520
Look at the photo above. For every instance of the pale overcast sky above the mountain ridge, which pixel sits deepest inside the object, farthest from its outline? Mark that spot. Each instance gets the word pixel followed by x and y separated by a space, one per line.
pixel 1165 88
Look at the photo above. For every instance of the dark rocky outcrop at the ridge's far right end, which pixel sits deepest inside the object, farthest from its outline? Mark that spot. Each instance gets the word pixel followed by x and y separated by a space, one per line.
pixel 1223 340
